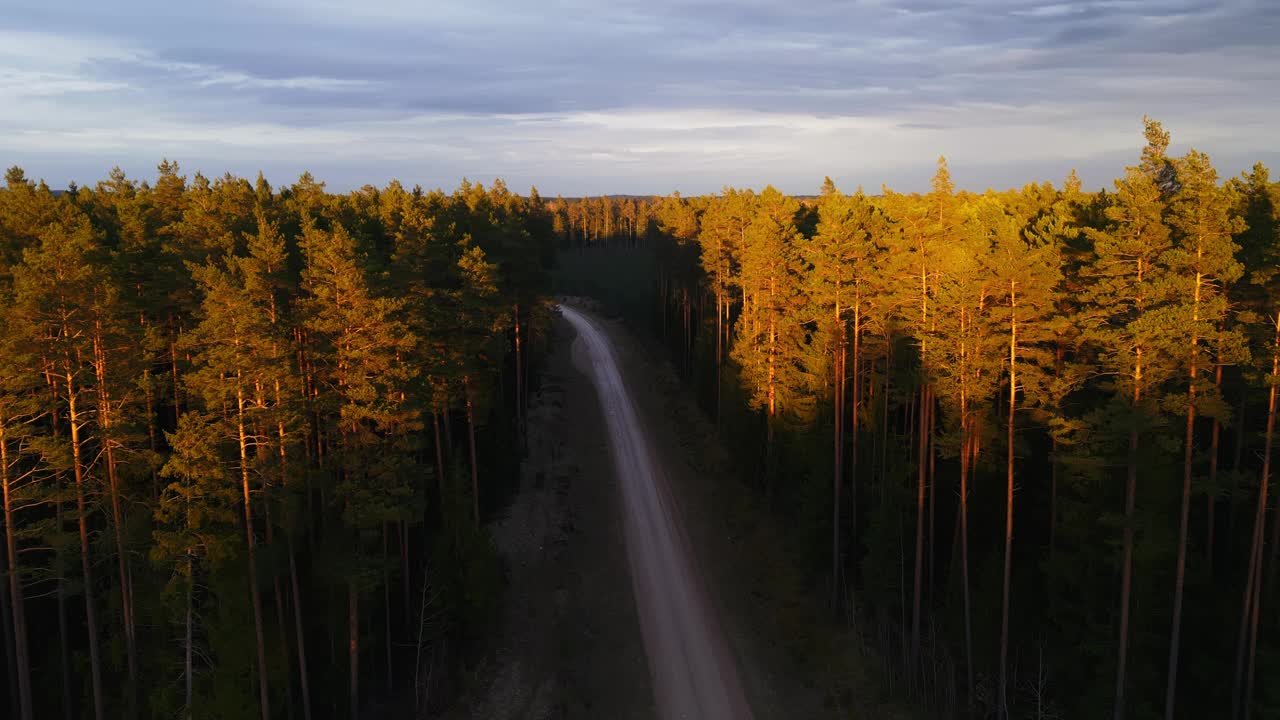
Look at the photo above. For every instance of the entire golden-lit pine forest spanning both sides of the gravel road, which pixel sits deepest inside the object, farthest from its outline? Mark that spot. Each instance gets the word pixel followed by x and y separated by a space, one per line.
pixel 250 438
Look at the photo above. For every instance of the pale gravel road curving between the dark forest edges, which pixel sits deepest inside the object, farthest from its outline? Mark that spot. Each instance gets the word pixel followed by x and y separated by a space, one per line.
pixel 694 675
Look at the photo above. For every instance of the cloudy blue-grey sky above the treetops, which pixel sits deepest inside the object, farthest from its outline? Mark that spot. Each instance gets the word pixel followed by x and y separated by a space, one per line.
pixel 623 97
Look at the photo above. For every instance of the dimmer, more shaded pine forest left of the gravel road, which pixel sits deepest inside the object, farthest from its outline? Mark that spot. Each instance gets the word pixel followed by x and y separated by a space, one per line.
pixel 249 440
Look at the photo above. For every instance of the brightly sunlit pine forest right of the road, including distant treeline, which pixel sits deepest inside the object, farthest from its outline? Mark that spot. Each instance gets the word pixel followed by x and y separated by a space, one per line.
pixel 1025 439
